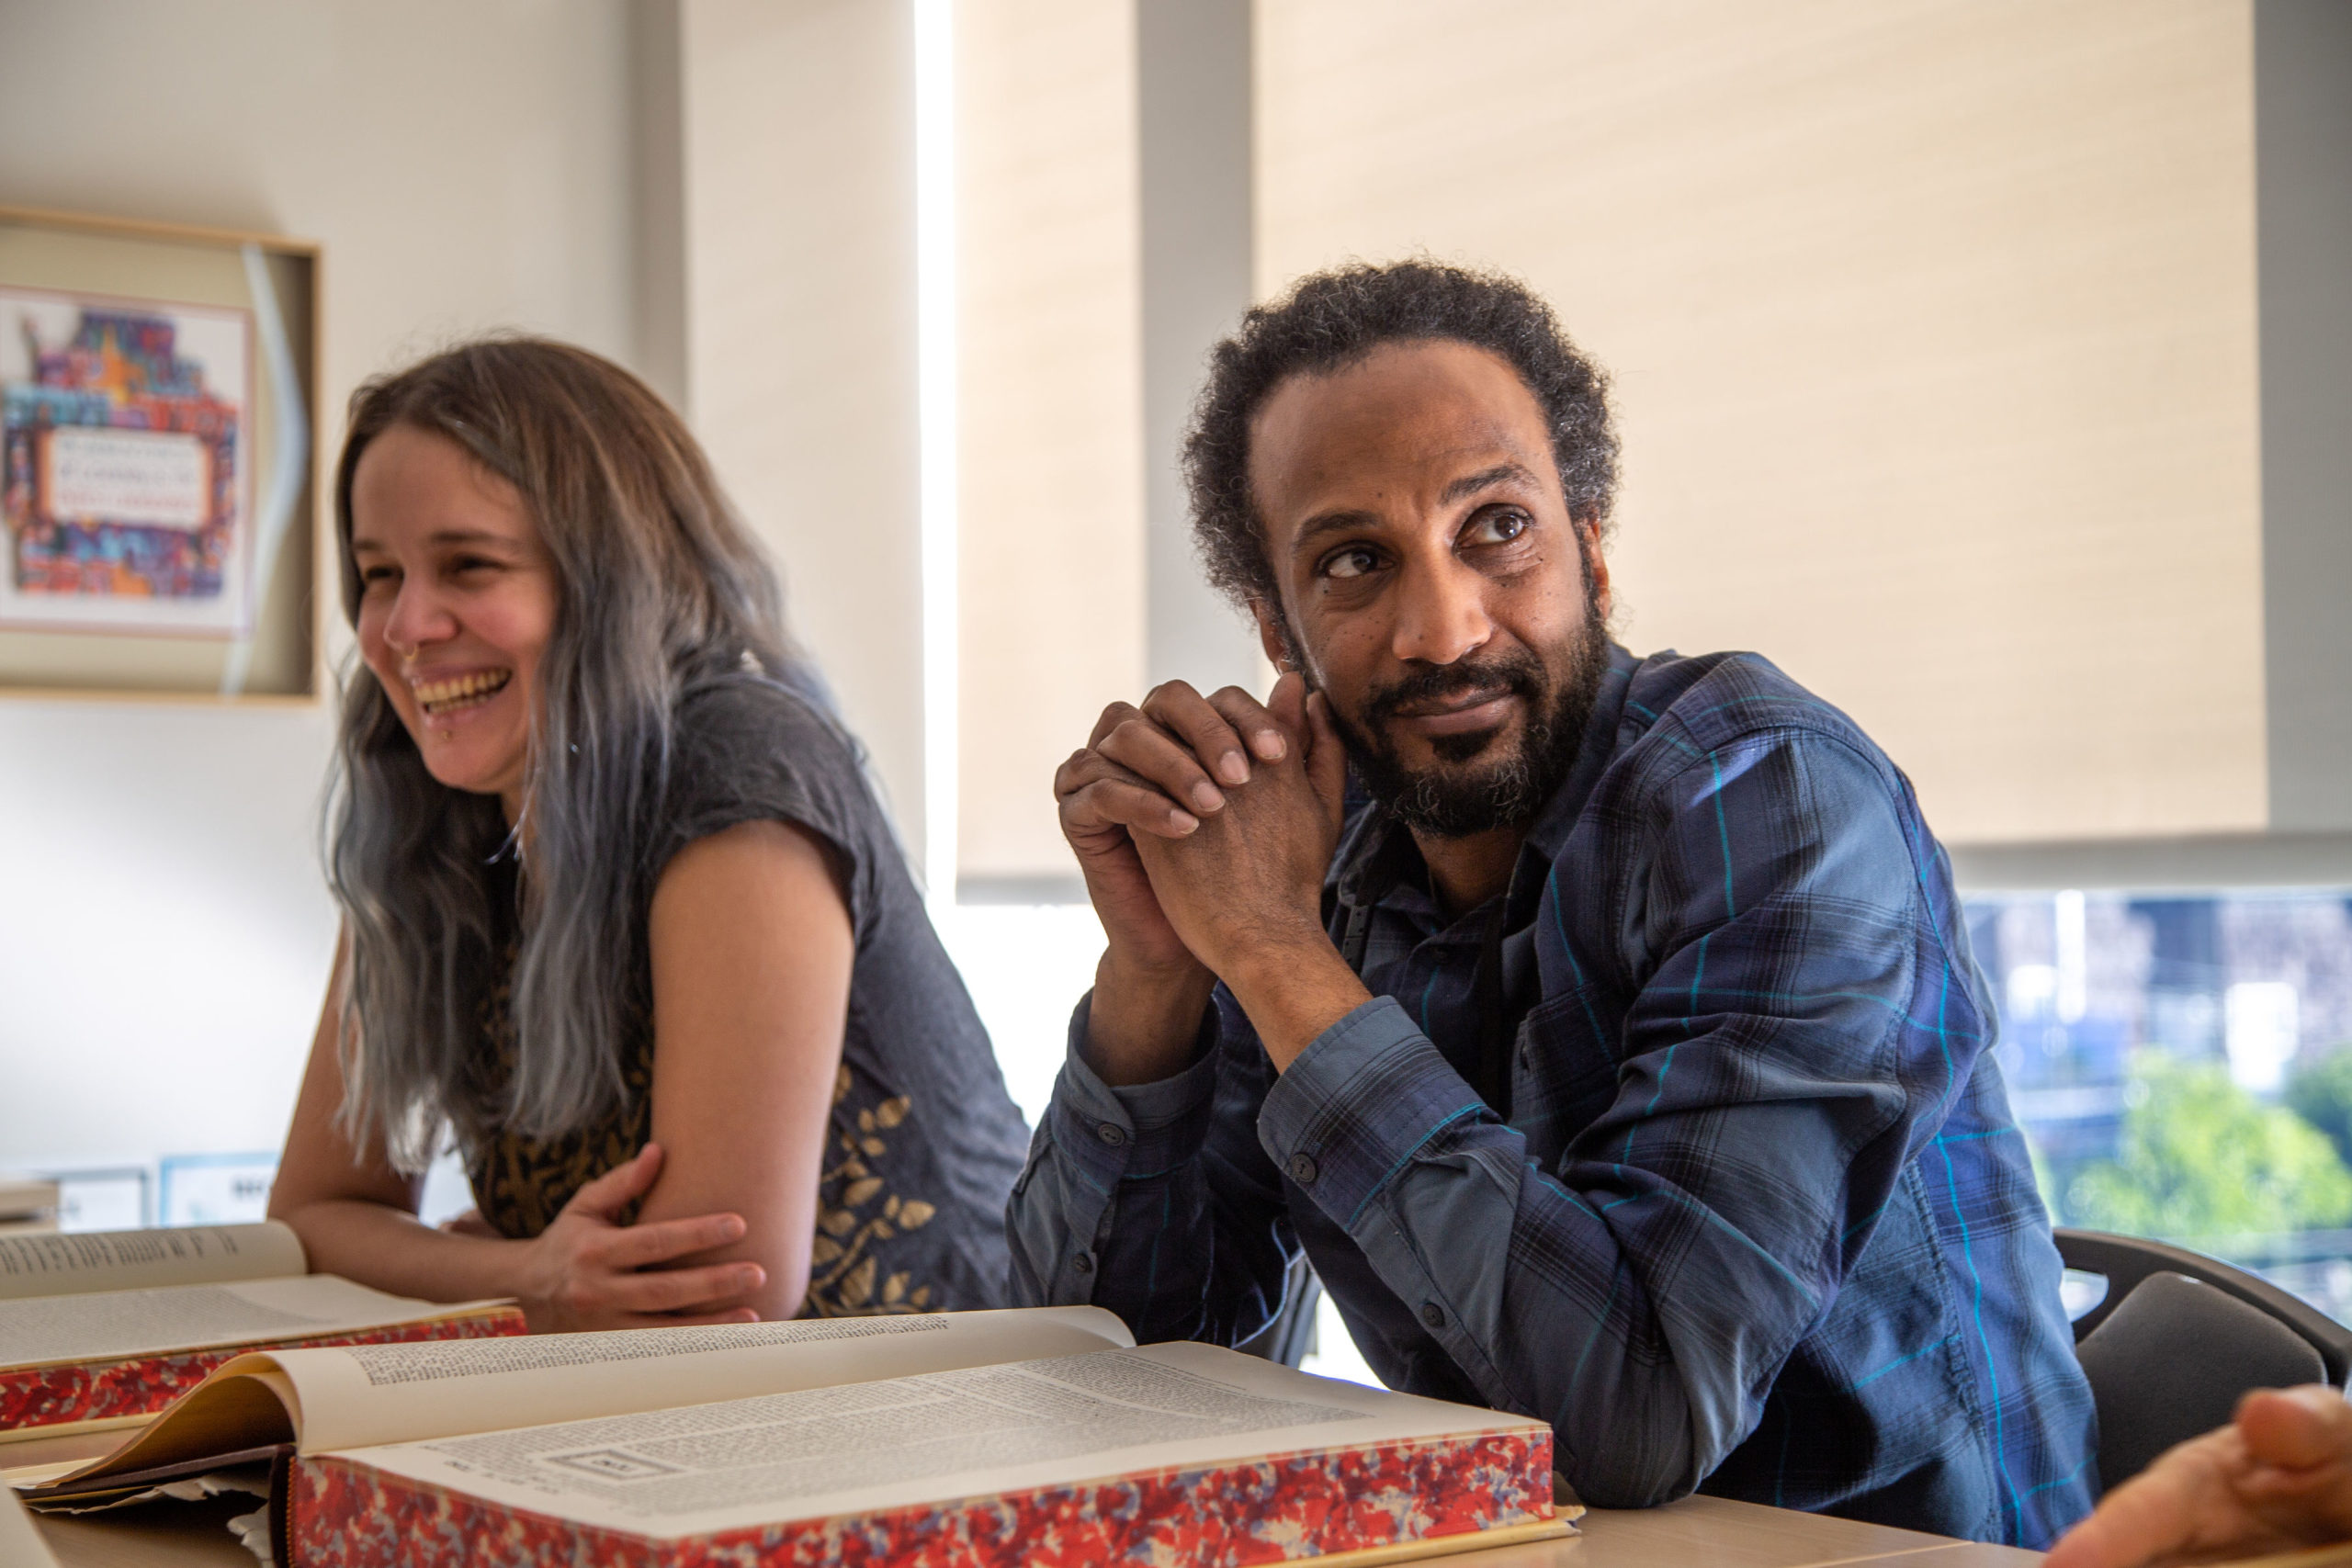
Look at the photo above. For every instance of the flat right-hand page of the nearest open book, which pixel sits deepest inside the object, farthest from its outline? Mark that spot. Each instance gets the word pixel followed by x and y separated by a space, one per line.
pixel 916 1442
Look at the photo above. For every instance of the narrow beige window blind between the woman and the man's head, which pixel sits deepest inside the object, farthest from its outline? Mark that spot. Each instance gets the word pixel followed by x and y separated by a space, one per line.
pixel 1053 422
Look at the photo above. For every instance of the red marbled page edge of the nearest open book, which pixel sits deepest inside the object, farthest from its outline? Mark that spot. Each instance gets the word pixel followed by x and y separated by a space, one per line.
pixel 352 1515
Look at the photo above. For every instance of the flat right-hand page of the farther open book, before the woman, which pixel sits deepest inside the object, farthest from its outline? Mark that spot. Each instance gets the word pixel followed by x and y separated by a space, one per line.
pixel 114 1325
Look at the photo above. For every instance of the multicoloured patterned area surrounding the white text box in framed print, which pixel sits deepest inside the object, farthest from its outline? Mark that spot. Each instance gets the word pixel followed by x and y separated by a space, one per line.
pixel 119 373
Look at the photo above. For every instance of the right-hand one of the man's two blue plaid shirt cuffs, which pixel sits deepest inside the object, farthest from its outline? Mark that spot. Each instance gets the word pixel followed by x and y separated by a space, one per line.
pixel 1354 1108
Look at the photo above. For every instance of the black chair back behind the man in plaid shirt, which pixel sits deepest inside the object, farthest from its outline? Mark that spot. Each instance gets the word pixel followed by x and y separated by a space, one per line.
pixel 2179 1339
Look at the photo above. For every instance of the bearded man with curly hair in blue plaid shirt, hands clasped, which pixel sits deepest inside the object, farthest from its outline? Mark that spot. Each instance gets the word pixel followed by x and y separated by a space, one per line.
pixel 1603 1028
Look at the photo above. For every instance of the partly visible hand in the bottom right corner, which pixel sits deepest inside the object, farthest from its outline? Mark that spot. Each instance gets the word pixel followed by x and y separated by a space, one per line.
pixel 2276 1480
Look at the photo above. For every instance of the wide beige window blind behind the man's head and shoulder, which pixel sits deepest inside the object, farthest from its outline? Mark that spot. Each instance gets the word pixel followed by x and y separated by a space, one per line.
pixel 1935 340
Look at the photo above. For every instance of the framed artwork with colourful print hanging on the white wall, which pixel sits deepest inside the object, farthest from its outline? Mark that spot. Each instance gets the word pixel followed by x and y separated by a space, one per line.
pixel 156 462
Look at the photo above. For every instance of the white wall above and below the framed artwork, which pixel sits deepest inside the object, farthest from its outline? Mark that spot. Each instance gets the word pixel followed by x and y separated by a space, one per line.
pixel 163 927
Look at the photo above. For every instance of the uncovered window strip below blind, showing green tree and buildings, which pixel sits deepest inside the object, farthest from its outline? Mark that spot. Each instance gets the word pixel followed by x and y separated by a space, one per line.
pixel 2184 1068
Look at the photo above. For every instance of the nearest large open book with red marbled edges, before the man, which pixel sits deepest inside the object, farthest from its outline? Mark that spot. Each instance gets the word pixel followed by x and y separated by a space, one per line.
pixel 968 1438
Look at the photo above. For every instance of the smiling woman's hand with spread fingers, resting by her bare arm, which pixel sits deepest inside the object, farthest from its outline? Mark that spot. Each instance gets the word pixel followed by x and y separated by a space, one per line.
pixel 592 1273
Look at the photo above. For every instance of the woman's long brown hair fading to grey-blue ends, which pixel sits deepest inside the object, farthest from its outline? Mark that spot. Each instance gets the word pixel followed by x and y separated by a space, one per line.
pixel 660 587
